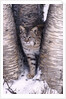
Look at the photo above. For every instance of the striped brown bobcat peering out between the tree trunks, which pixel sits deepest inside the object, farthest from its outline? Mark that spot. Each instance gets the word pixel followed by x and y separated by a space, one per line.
pixel 31 46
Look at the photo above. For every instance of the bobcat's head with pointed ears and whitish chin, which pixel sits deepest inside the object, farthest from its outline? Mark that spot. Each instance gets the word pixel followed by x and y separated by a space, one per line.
pixel 32 37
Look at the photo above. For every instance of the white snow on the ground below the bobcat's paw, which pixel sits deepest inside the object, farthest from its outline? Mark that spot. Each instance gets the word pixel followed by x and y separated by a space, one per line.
pixel 29 86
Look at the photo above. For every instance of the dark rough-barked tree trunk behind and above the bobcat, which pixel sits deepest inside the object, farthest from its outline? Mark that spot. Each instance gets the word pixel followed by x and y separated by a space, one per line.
pixel 28 15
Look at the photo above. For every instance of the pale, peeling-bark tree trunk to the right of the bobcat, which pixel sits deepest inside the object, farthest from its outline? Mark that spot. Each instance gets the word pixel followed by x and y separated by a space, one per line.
pixel 51 56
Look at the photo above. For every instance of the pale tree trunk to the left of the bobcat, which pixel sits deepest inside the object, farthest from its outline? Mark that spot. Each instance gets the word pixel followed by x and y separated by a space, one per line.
pixel 10 48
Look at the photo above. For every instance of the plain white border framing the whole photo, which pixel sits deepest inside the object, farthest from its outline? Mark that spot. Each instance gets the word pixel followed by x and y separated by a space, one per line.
pixel 31 96
